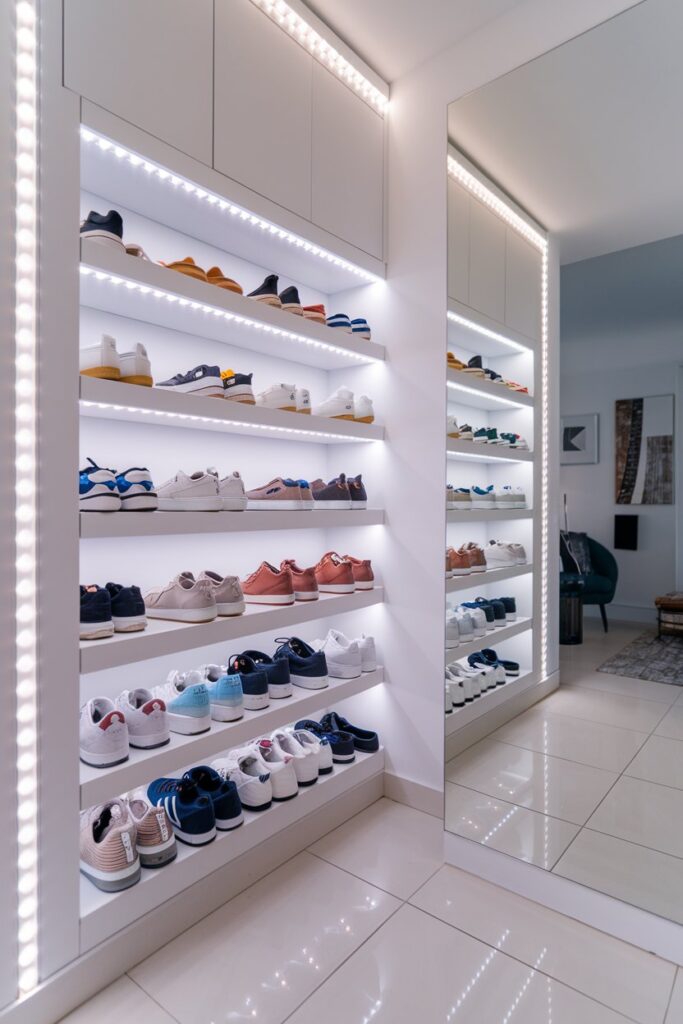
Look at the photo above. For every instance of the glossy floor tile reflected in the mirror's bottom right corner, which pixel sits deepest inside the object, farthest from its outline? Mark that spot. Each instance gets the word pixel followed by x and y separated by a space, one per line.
pixel 634 874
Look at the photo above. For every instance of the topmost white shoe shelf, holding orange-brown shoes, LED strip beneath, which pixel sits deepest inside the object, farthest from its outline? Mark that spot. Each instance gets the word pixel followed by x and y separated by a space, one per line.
pixel 127 286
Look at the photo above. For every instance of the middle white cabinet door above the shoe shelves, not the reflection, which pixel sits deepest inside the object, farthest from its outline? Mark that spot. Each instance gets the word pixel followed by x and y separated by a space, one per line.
pixel 263 106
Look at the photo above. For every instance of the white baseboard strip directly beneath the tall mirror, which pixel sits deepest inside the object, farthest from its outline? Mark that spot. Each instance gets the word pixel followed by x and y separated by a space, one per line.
pixel 647 931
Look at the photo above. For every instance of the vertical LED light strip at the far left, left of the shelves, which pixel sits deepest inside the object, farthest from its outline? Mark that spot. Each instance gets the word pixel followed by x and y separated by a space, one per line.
pixel 25 453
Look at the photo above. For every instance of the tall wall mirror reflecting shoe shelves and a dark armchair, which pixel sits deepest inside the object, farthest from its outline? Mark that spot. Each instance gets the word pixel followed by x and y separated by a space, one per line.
pixel 573 151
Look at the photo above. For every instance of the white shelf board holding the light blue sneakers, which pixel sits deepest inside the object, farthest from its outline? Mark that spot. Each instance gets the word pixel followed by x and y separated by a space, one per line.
pixel 99 785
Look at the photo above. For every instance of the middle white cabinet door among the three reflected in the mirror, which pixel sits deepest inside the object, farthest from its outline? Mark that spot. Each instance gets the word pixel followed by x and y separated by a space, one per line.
pixel 487 262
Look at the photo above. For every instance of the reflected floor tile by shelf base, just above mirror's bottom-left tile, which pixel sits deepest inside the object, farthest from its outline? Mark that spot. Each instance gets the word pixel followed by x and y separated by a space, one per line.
pixel 551 786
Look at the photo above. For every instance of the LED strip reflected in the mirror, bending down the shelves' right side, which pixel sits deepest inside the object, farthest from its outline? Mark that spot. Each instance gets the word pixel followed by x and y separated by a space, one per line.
pixel 540 242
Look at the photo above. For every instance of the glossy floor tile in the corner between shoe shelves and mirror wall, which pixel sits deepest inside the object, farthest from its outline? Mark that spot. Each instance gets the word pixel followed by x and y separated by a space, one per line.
pixel 390 845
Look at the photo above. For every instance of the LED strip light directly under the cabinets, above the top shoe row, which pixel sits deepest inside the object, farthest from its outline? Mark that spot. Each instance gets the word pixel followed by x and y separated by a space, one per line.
pixel 178 183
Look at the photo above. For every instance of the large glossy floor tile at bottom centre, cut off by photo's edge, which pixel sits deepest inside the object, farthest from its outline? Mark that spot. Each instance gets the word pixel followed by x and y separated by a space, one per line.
pixel 418 970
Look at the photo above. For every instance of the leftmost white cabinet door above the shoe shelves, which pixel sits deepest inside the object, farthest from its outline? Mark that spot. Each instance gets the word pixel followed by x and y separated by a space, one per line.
pixel 151 64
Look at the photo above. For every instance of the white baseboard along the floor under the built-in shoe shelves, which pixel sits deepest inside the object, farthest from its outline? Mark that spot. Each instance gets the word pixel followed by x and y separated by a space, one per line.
pixel 103 965
